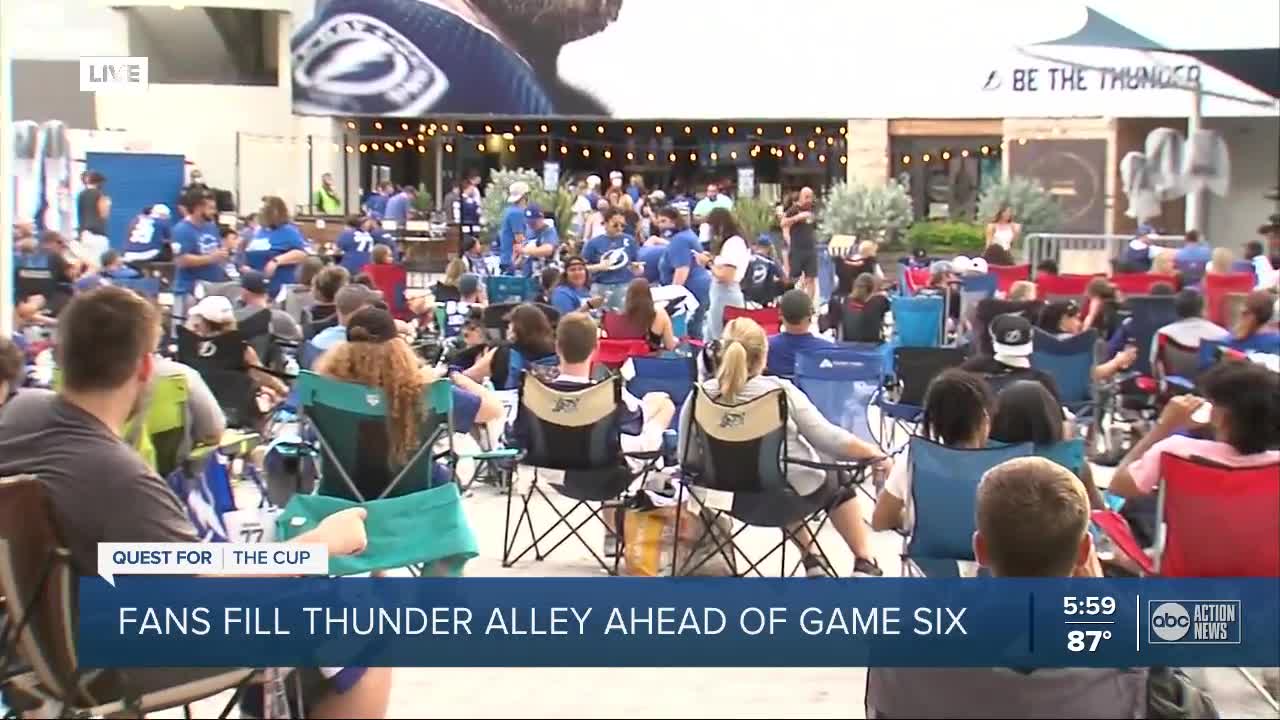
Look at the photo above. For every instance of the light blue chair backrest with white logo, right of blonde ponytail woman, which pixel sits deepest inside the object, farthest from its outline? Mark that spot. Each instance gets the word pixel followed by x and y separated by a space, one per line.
pixel 842 384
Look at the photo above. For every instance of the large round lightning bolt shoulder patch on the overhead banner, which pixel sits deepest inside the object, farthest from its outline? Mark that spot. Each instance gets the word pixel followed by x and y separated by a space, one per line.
pixel 360 65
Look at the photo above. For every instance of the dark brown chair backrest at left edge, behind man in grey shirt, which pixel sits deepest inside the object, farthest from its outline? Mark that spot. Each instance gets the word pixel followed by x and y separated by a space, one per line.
pixel 29 543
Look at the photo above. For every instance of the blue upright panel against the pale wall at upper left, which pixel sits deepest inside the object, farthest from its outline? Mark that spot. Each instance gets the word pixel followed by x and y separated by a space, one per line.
pixel 134 181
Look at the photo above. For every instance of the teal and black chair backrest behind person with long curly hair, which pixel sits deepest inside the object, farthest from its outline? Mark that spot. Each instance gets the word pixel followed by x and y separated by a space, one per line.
pixel 351 420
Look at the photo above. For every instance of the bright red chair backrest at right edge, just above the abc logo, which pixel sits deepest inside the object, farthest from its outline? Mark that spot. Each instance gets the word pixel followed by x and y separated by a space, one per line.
pixel 1220 523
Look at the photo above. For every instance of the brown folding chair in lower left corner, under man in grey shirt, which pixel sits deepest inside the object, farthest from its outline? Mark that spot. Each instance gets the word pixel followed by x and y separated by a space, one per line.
pixel 39 582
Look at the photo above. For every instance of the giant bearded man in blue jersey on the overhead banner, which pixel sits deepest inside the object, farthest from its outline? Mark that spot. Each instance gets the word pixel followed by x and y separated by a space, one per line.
pixel 414 57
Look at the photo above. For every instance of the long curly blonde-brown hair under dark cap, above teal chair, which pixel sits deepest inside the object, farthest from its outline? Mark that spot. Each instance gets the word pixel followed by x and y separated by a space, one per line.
pixel 392 368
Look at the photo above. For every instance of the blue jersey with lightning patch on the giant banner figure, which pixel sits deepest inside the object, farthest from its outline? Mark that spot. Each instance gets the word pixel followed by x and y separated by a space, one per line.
pixel 408 58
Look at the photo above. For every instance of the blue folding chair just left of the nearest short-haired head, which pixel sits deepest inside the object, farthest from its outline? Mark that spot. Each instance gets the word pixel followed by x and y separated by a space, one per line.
pixel 945 502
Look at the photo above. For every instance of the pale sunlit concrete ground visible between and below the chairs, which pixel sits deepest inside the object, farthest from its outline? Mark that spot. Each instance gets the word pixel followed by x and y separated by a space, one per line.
pixel 665 692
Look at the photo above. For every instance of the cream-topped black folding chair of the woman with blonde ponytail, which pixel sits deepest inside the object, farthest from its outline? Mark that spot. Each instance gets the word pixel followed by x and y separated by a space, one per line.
pixel 742 450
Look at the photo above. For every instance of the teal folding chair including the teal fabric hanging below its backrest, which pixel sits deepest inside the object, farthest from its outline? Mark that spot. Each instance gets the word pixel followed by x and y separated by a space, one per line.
pixel 415 512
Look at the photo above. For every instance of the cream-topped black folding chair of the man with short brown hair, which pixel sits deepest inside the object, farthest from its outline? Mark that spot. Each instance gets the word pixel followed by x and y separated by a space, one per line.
pixel 578 432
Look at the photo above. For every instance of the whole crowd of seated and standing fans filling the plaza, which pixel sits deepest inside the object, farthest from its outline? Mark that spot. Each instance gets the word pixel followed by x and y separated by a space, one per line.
pixel 646 270
